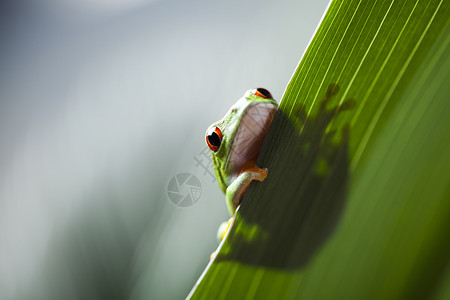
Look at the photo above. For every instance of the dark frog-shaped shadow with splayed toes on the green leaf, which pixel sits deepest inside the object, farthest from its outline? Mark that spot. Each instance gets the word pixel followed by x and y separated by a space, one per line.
pixel 290 225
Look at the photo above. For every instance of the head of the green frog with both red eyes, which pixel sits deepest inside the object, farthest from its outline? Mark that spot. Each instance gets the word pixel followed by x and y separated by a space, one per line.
pixel 236 140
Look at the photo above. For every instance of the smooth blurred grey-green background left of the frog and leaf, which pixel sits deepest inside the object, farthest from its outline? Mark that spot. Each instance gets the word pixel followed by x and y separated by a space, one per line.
pixel 102 103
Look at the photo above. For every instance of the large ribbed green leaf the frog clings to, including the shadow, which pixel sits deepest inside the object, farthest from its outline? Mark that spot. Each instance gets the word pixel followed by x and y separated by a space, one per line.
pixel 357 201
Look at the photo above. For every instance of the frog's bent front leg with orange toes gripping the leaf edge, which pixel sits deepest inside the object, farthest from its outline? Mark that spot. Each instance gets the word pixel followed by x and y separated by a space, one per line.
pixel 237 188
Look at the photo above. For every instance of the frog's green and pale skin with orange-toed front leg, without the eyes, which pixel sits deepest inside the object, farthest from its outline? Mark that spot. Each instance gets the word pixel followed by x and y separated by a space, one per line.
pixel 244 129
